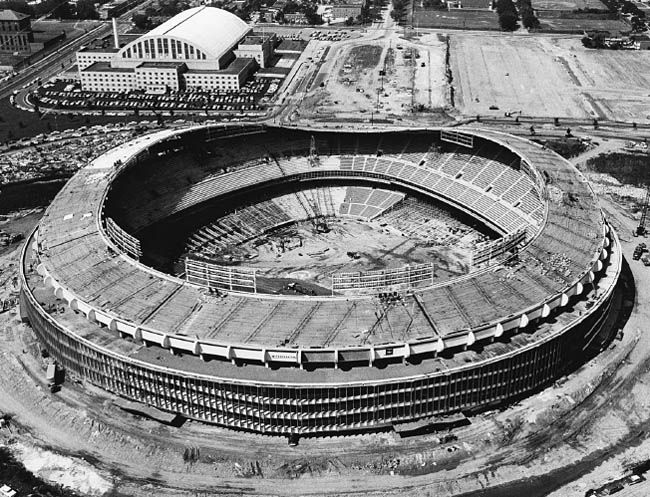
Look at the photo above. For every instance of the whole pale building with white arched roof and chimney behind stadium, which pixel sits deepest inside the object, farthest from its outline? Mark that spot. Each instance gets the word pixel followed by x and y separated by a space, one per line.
pixel 201 48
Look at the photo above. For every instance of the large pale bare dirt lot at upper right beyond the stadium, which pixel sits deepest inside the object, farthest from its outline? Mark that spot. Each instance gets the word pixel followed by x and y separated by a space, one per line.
pixel 548 77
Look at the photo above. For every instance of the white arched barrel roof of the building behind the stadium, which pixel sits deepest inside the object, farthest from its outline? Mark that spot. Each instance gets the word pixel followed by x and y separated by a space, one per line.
pixel 212 30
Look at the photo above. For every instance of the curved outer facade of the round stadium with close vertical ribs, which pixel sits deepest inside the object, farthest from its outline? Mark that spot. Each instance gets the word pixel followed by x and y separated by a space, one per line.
pixel 284 408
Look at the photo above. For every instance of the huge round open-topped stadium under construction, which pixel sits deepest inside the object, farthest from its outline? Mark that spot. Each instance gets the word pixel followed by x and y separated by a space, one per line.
pixel 289 281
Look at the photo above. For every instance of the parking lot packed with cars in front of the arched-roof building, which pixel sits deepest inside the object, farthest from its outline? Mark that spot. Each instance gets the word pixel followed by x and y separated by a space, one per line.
pixel 64 95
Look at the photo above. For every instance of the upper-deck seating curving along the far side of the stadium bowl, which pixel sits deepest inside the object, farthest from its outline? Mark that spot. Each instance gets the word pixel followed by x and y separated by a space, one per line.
pixel 477 178
